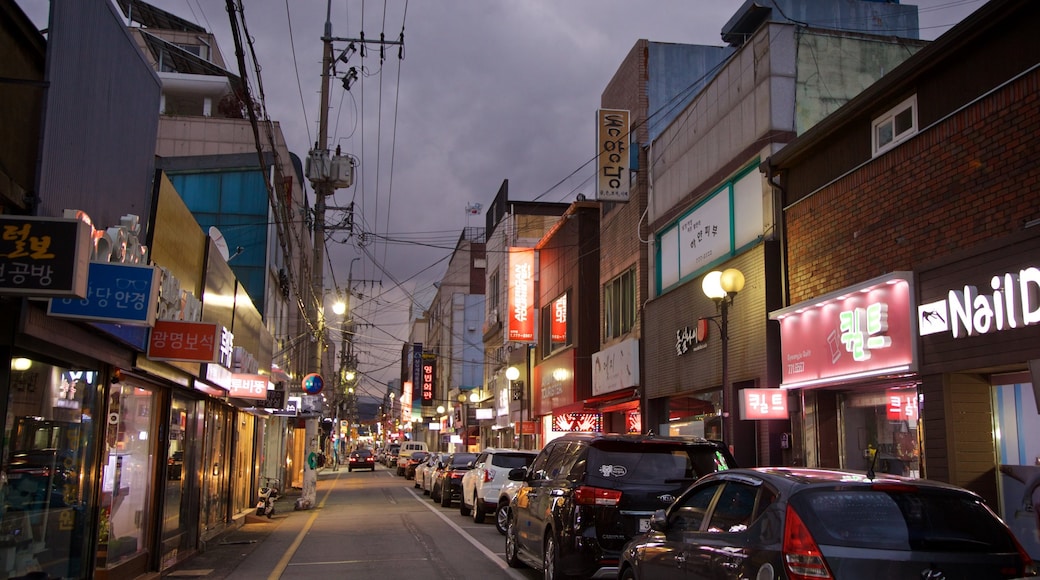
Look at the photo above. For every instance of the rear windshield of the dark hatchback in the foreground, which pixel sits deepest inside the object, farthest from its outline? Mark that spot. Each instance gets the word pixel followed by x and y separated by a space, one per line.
pixel 899 519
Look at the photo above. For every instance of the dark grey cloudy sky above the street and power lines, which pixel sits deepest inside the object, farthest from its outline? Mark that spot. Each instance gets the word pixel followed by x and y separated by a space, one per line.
pixel 488 90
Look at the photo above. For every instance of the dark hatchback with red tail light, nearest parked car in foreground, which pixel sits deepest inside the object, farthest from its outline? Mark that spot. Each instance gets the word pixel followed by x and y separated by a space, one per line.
pixel 811 523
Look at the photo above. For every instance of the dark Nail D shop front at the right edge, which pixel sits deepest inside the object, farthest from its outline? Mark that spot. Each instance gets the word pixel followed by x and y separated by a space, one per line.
pixel 979 322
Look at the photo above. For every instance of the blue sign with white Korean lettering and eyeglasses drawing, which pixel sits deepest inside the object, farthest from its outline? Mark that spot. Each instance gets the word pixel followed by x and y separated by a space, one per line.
pixel 119 294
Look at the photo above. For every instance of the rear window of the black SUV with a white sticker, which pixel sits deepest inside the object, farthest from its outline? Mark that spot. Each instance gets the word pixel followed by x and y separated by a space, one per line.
pixel 653 464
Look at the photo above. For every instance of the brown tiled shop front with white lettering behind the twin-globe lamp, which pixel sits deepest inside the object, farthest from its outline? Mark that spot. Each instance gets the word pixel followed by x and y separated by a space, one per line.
pixel 693 366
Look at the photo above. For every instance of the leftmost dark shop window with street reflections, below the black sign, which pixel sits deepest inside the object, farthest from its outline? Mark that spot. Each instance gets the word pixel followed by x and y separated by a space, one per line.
pixel 49 435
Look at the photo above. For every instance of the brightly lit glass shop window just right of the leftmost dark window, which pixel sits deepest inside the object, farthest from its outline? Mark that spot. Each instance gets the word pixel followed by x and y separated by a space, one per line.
pixel 127 474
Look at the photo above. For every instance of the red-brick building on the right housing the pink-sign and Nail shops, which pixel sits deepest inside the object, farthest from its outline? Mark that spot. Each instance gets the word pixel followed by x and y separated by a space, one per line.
pixel 912 335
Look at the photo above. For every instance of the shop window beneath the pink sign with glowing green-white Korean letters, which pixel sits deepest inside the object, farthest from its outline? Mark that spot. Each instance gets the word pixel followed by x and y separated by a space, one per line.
pixel 879 431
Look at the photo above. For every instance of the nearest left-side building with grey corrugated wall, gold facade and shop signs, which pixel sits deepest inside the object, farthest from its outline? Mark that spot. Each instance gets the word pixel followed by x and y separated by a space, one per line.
pixel 174 461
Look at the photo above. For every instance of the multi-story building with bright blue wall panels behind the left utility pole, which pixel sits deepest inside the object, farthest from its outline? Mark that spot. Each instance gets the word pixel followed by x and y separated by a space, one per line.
pixel 253 205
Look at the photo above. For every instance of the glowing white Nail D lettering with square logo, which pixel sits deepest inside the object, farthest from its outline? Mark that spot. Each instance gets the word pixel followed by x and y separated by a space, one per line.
pixel 1015 302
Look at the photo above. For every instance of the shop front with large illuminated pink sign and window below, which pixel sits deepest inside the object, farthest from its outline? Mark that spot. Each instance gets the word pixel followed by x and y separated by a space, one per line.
pixel 849 359
